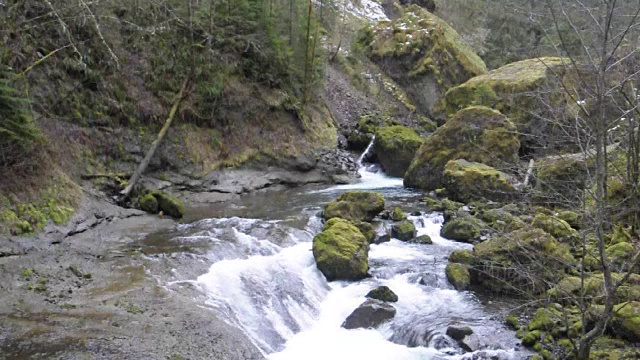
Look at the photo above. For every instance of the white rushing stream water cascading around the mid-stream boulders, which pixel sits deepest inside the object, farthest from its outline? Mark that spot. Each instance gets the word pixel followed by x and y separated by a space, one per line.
pixel 264 279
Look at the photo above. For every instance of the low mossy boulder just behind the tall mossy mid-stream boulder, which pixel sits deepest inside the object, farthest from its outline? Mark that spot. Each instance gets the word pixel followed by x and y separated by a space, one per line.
pixel 355 206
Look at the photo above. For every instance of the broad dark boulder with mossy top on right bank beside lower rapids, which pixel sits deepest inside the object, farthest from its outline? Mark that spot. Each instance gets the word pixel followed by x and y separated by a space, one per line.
pixel 527 259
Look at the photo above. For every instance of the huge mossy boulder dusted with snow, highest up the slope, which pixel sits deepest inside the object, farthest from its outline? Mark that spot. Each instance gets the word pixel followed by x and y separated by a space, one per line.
pixel 422 53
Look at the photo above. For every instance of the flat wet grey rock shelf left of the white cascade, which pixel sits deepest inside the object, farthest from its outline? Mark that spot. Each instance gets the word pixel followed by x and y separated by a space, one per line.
pixel 87 290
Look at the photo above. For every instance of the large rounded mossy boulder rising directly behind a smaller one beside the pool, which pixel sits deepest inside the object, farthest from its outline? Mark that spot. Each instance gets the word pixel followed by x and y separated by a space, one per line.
pixel 476 134
